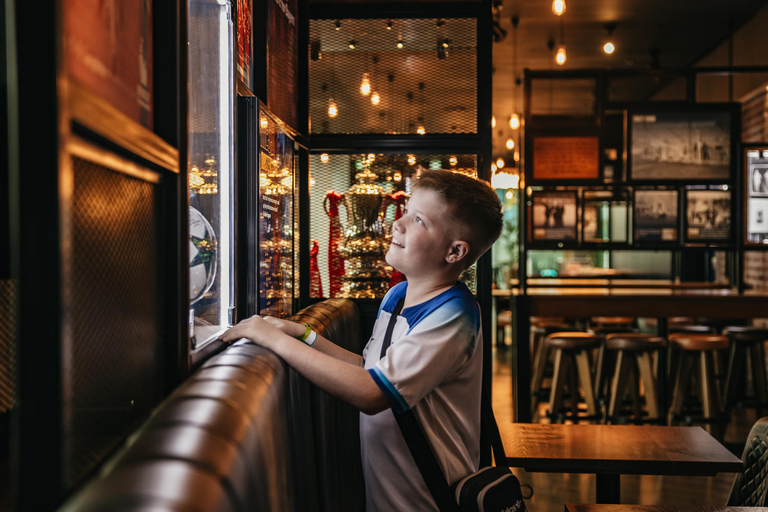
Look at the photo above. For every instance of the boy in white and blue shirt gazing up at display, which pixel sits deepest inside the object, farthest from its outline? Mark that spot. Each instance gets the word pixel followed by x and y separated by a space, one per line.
pixel 434 362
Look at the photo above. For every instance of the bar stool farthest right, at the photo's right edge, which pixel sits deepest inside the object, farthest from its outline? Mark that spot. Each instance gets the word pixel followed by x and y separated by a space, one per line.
pixel 746 342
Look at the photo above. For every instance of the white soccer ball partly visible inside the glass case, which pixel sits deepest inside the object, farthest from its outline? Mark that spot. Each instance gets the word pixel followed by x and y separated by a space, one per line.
pixel 203 255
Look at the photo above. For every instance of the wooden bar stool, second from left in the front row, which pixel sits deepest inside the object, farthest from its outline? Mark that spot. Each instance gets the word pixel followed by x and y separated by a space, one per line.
pixel 634 365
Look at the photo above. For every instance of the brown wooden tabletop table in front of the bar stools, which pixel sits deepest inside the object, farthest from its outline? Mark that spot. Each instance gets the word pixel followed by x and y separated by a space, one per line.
pixel 609 451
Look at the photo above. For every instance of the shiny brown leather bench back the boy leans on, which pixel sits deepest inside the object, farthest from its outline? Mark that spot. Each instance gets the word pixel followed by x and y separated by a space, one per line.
pixel 244 432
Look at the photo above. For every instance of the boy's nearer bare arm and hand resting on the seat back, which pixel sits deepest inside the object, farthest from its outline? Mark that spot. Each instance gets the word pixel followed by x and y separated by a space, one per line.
pixel 349 382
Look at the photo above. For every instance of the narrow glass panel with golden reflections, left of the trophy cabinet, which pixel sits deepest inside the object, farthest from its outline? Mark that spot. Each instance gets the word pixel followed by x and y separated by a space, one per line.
pixel 277 161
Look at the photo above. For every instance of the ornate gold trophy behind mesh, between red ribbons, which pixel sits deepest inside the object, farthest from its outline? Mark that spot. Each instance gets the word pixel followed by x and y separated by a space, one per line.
pixel 365 275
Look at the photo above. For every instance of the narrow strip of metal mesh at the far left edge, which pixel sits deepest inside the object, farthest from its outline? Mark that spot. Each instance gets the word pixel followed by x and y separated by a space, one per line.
pixel 8 326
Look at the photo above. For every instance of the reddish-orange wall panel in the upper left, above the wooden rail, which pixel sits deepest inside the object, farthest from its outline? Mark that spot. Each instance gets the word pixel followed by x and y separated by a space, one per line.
pixel 108 49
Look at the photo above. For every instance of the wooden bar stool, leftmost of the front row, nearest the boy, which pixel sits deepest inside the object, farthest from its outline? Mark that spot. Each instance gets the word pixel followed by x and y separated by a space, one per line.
pixel 571 351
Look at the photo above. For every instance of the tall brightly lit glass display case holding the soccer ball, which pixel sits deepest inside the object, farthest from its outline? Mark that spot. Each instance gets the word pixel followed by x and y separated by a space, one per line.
pixel 210 160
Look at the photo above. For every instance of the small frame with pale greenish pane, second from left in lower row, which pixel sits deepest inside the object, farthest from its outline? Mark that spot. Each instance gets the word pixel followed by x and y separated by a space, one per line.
pixel 605 217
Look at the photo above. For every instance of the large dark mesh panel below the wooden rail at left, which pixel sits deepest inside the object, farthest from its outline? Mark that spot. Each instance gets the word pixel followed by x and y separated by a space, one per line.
pixel 115 355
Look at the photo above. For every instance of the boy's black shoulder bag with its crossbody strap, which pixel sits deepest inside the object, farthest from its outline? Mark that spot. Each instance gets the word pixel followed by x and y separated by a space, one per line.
pixel 490 489
